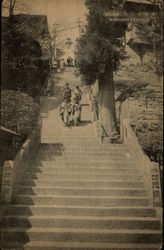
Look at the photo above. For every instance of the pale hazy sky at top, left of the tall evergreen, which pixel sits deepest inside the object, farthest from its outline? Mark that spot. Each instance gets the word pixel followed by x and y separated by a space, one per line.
pixel 65 12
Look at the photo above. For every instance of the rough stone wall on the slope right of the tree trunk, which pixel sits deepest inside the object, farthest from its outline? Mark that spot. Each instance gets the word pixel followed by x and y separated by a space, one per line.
pixel 146 97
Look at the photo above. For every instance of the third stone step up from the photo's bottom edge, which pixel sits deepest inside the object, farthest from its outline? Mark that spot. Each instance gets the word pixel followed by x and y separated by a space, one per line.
pixel 76 221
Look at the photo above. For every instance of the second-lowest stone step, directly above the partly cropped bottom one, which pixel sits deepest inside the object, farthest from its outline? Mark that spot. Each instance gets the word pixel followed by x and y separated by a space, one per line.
pixel 80 235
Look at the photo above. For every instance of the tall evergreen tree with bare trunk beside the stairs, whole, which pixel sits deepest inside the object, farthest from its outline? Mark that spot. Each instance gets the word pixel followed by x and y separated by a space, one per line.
pixel 98 54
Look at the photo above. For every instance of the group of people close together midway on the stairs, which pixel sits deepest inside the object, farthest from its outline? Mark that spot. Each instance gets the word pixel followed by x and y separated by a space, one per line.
pixel 70 109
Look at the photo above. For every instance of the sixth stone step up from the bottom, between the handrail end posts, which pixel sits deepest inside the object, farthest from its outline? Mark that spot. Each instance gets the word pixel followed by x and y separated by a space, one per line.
pixel 82 191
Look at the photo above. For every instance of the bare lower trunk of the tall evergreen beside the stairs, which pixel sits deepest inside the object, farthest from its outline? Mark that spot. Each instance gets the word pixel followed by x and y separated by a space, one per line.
pixel 107 112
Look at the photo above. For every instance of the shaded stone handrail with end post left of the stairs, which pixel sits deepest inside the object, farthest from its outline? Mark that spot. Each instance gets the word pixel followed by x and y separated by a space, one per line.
pixel 13 170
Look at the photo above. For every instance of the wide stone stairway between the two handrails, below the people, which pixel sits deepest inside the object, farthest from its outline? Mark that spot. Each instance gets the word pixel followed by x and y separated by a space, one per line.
pixel 80 194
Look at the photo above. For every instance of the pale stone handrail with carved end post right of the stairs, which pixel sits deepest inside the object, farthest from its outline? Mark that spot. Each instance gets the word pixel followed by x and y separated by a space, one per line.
pixel 149 170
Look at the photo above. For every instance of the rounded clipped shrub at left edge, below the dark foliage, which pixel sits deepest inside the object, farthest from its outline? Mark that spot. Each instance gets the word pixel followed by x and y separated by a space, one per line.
pixel 18 111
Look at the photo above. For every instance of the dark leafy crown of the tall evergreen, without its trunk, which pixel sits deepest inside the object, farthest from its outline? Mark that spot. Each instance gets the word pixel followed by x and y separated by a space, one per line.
pixel 98 48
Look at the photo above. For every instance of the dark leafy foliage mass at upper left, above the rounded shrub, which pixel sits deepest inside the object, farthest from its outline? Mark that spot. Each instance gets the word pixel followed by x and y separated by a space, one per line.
pixel 23 68
